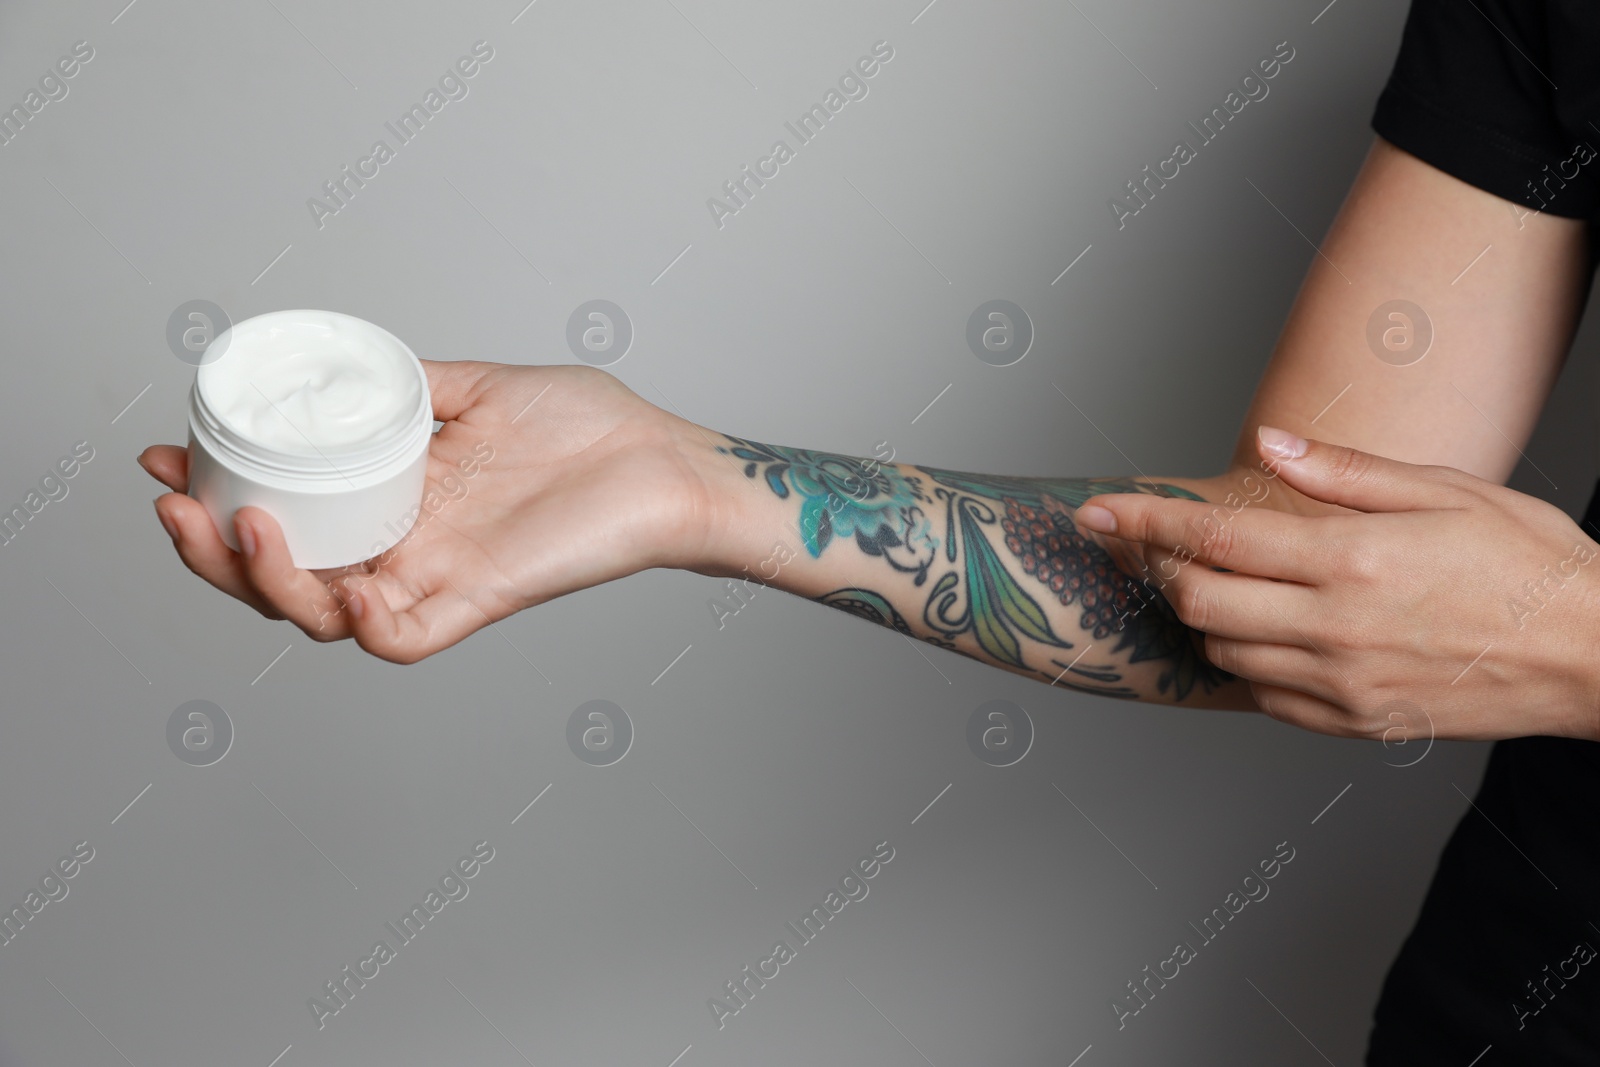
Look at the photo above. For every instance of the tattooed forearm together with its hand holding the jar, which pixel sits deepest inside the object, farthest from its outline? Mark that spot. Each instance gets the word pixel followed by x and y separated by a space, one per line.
pixel 530 503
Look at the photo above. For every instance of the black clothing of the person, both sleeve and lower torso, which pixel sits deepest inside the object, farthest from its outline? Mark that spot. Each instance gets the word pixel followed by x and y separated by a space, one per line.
pixel 1502 967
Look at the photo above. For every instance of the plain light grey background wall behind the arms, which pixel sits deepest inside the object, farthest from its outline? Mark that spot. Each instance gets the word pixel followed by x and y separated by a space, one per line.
pixel 828 313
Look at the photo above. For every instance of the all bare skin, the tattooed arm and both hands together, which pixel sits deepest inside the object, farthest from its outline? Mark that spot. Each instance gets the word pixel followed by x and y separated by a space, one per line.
pixel 596 484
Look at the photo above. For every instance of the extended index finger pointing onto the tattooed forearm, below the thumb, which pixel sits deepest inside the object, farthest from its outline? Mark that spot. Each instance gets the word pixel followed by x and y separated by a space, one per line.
pixel 1260 541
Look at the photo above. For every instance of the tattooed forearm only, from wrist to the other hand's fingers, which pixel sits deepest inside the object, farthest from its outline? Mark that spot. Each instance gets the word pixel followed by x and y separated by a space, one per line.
pixel 986 565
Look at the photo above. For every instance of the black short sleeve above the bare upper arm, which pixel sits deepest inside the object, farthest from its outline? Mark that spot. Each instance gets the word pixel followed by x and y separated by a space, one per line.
pixel 1474 94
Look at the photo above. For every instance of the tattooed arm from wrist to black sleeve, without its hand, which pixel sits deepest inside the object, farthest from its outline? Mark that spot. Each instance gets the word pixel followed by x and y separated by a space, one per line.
pixel 1500 290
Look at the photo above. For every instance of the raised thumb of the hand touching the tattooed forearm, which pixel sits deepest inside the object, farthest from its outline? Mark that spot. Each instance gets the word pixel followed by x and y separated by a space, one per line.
pixel 1351 478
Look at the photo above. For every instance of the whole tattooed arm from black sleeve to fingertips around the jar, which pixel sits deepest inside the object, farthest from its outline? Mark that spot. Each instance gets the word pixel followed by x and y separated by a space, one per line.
pixel 598 484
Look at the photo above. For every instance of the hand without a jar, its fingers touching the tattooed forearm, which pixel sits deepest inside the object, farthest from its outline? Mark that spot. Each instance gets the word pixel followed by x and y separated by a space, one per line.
pixel 1441 604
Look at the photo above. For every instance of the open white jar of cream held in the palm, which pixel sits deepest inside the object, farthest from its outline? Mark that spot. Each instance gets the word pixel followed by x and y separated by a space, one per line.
pixel 321 420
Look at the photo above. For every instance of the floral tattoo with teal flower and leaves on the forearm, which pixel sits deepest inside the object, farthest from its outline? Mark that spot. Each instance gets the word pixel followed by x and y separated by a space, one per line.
pixel 994 529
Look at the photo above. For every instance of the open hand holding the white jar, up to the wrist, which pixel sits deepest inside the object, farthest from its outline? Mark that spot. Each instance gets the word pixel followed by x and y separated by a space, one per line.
pixel 542 482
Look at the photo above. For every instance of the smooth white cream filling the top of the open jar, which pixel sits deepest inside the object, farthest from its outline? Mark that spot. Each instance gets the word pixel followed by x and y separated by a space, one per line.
pixel 311 382
